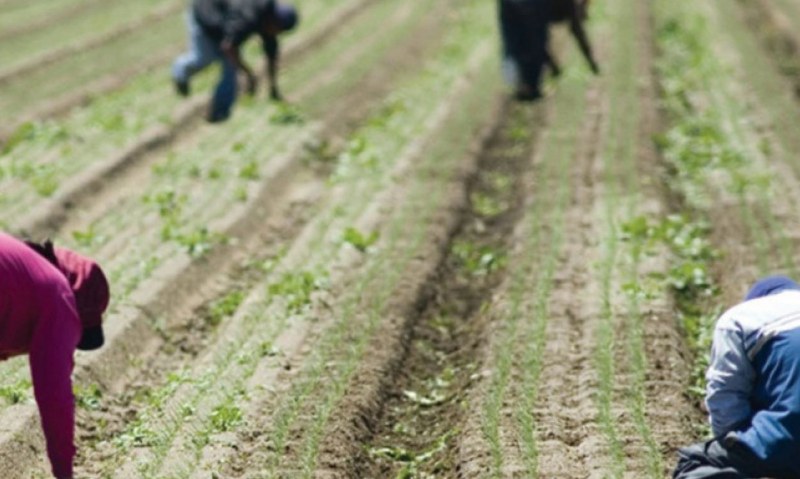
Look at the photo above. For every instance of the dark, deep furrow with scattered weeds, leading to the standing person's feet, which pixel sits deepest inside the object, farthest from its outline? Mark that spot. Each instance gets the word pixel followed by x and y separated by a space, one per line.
pixel 420 409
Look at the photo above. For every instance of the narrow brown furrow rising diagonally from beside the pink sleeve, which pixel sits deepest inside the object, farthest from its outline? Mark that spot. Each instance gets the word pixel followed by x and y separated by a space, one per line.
pixel 189 336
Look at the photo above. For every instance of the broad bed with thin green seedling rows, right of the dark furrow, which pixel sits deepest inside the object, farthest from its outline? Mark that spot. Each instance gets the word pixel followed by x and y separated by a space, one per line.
pixel 534 405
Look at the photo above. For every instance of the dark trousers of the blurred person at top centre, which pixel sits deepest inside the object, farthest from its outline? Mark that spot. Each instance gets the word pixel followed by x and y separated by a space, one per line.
pixel 524 30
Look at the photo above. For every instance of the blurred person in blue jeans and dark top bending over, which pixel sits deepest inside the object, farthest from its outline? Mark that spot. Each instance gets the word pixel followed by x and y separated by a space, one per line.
pixel 217 30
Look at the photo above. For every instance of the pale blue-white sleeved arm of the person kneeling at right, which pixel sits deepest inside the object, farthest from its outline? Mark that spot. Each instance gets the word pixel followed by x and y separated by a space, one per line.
pixel 730 381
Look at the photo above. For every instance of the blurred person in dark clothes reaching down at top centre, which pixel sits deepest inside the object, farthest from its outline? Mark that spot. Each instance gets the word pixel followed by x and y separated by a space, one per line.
pixel 524 26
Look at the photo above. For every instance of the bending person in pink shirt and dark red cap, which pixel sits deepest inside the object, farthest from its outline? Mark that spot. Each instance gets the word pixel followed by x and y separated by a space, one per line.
pixel 51 302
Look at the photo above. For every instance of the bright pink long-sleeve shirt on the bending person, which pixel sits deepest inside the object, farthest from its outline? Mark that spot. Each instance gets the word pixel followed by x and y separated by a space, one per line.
pixel 38 316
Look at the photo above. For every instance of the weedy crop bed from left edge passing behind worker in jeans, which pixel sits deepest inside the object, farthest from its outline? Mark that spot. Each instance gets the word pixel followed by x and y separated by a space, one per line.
pixel 43 157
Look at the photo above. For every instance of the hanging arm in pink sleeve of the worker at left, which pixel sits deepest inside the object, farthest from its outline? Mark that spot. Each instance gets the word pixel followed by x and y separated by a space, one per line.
pixel 51 359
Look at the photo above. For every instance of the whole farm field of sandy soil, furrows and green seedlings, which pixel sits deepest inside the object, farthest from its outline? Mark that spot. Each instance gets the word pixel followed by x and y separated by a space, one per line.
pixel 399 272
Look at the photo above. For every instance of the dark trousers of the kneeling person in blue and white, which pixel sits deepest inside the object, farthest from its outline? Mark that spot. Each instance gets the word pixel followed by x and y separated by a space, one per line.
pixel 712 460
